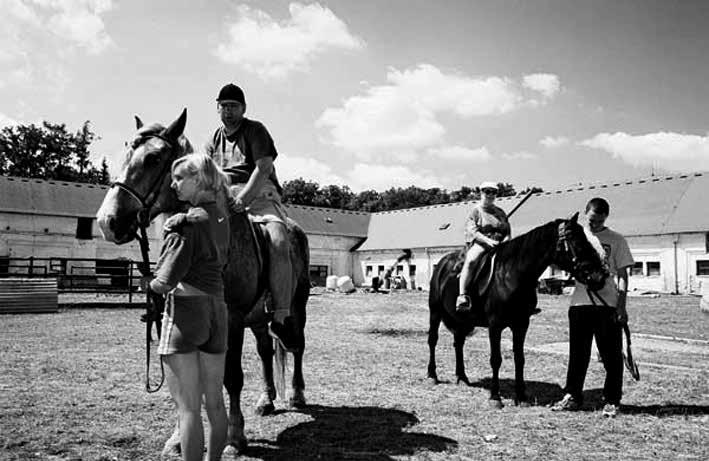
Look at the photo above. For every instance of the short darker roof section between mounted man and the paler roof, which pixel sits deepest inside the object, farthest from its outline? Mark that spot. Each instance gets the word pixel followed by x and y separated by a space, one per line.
pixel 329 221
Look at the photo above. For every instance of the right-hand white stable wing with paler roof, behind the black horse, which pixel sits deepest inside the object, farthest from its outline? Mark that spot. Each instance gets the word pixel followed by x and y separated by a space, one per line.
pixel 663 219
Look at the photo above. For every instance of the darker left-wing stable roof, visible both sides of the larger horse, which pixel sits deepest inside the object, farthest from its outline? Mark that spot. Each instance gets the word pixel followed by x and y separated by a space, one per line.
pixel 61 198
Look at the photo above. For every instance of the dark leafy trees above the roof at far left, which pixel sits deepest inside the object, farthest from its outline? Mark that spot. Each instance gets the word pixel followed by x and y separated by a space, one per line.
pixel 49 151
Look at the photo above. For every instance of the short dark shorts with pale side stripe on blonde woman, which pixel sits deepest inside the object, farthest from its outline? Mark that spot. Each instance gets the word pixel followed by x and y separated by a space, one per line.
pixel 194 323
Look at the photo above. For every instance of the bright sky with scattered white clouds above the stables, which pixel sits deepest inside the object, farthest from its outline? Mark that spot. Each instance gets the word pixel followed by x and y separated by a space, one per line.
pixel 379 94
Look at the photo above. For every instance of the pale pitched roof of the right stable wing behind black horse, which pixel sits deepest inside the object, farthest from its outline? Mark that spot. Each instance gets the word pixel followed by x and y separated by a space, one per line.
pixel 658 205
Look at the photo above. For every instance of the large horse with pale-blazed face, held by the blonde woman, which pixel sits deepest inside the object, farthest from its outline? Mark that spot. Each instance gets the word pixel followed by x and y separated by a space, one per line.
pixel 147 173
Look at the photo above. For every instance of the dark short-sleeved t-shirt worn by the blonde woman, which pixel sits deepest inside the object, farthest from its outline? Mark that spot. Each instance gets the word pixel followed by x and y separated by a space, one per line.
pixel 196 253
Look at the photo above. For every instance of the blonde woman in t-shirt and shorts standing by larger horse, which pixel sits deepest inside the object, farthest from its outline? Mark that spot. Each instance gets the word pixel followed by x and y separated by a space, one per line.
pixel 193 342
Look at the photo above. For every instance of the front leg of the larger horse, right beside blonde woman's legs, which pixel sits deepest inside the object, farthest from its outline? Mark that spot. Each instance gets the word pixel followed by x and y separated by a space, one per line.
pixel 234 383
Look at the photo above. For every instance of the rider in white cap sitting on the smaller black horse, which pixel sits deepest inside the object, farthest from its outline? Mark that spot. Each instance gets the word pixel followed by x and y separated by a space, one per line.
pixel 486 227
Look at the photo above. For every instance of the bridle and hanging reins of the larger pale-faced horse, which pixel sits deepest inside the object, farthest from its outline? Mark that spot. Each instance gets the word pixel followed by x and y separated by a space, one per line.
pixel 142 220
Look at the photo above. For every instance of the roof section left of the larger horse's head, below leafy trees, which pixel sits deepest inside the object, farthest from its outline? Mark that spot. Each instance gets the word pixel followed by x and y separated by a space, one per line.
pixel 53 198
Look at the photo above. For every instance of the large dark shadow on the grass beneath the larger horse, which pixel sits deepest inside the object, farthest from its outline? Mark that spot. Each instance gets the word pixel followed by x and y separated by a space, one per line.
pixel 341 433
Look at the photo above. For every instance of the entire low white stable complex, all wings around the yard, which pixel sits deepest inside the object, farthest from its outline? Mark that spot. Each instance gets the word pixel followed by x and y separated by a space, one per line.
pixel 663 219
